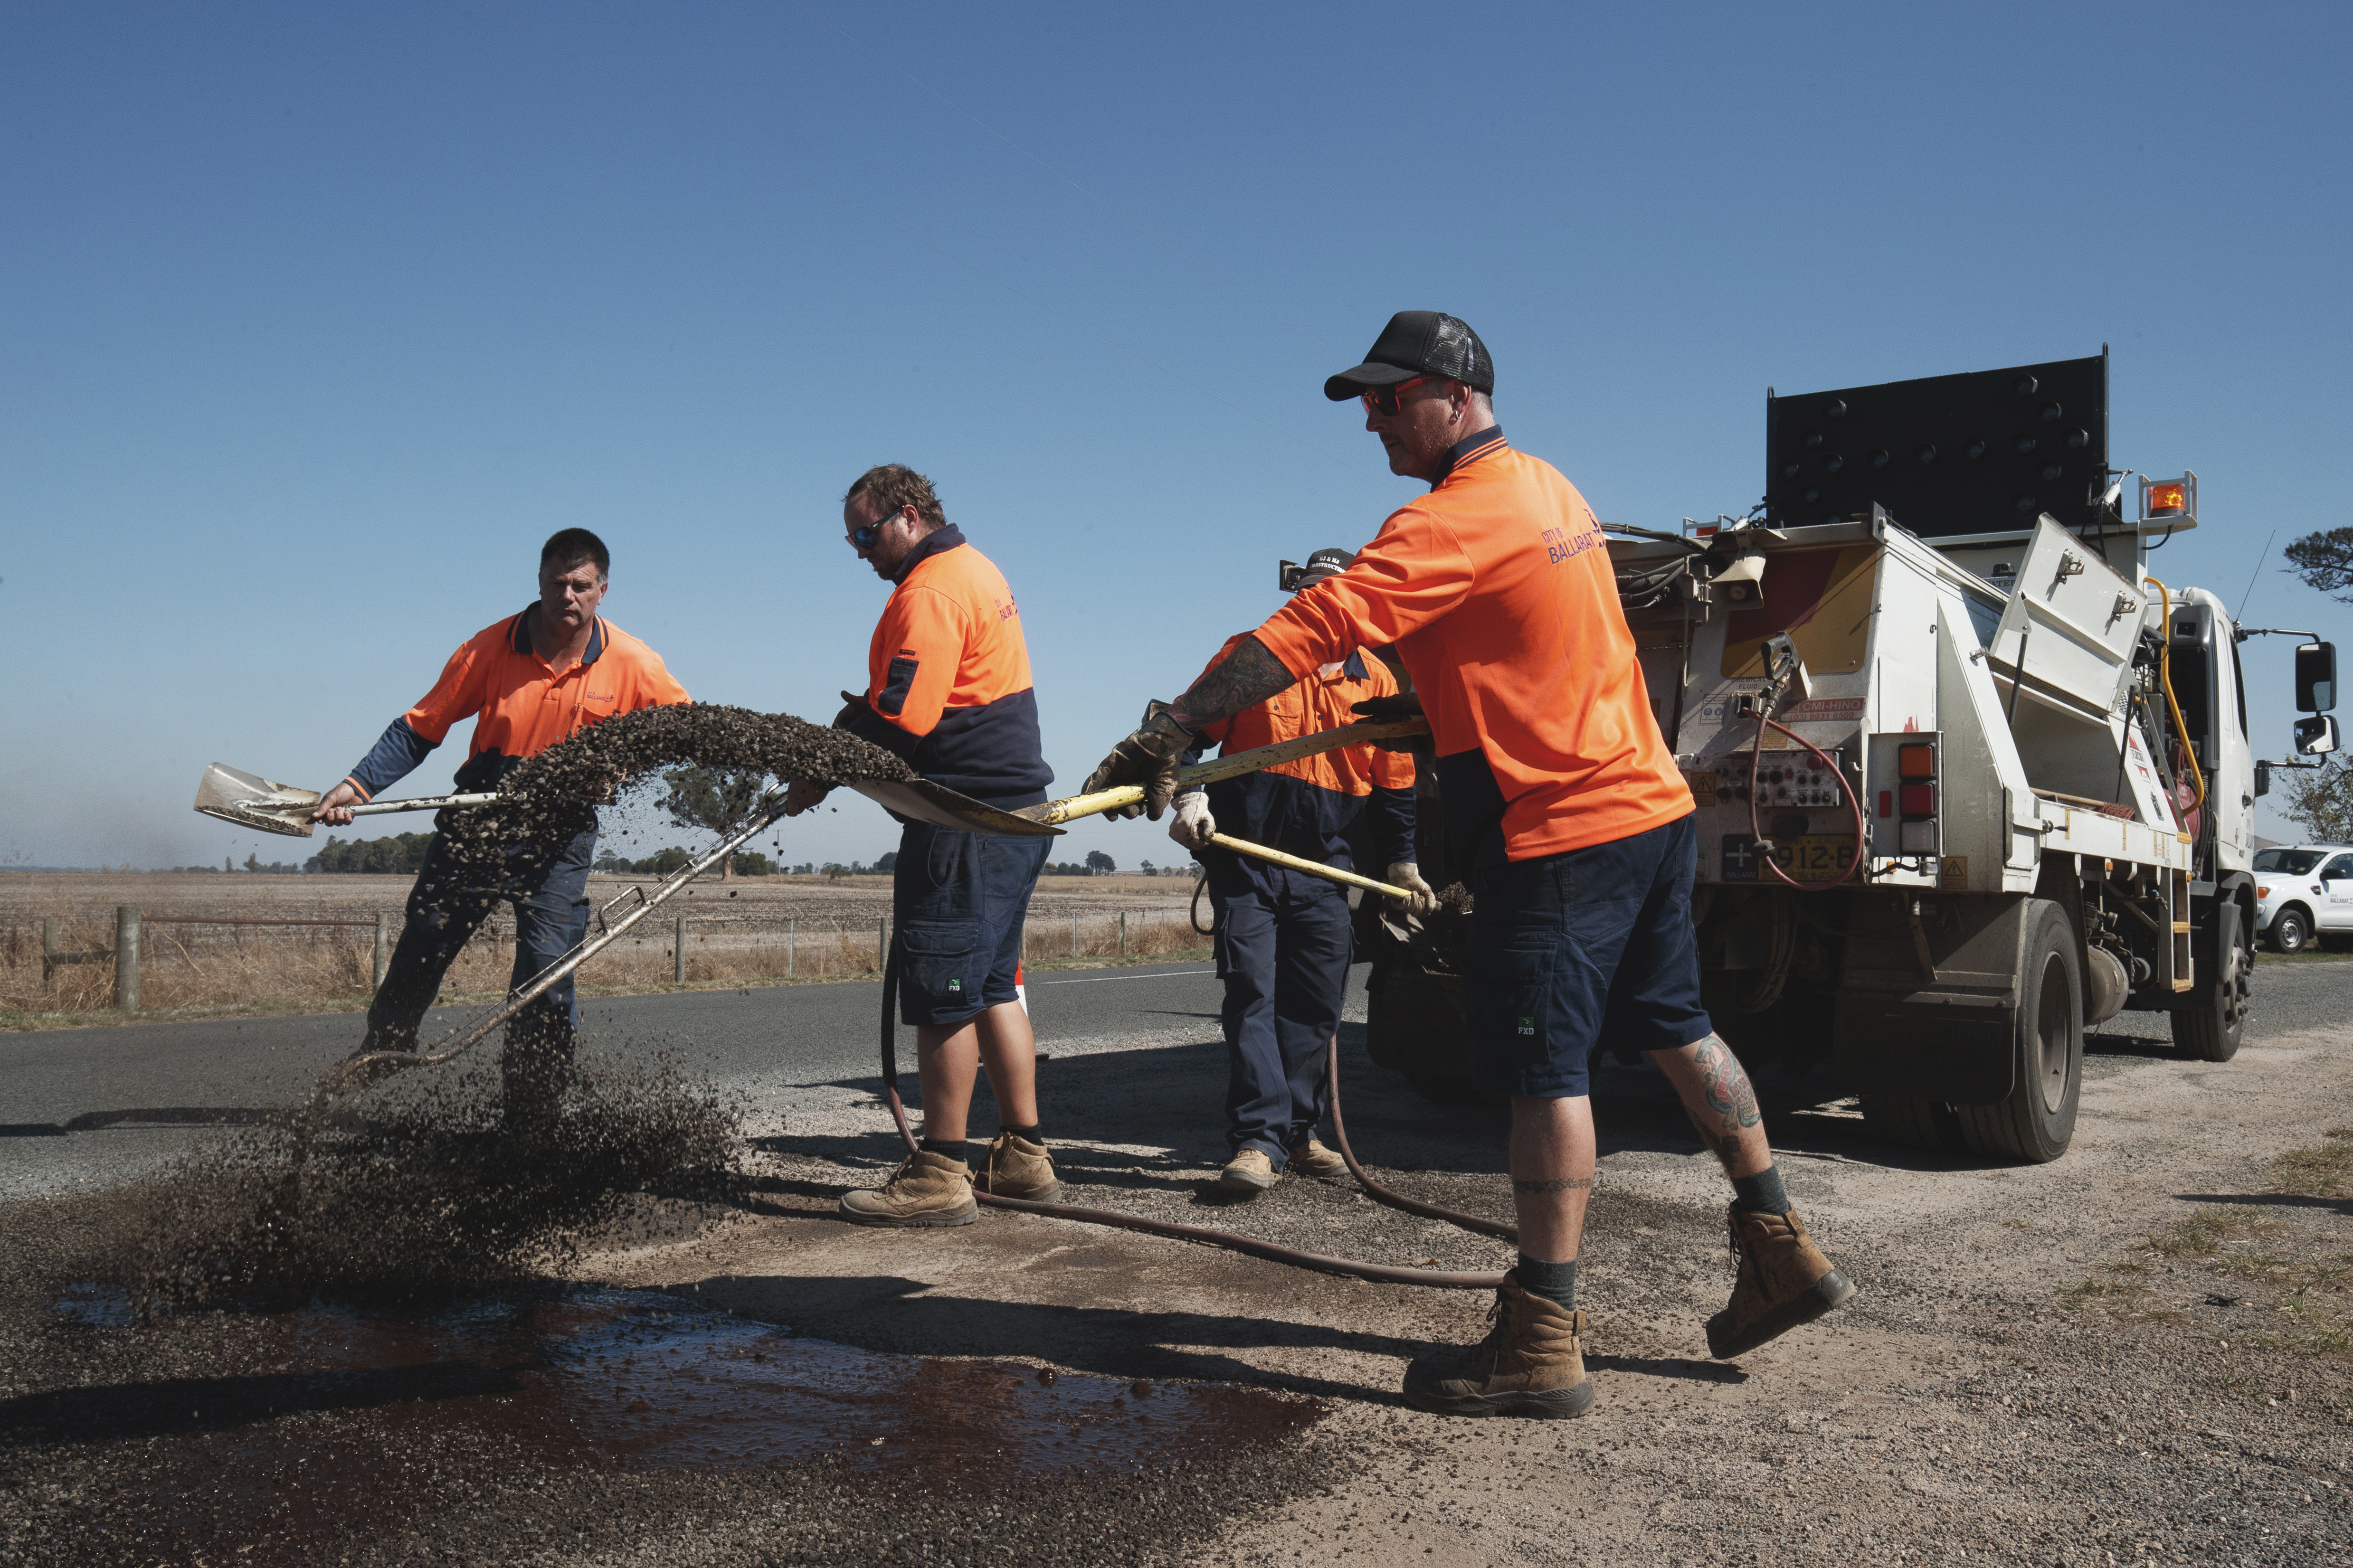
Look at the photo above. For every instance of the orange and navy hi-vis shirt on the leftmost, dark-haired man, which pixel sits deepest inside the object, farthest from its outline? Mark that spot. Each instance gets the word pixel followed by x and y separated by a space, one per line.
pixel 519 702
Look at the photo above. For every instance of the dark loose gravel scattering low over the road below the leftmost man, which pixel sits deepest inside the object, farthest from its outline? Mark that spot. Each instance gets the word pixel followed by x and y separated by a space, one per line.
pixel 420 1198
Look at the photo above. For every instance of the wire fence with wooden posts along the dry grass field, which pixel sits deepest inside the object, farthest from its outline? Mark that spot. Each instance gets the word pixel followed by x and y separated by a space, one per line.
pixel 154 963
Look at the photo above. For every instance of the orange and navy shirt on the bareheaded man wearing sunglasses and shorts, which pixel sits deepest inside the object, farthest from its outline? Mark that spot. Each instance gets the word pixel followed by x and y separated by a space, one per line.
pixel 947 678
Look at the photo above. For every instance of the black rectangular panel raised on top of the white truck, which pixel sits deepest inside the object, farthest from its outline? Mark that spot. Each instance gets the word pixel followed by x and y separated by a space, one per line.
pixel 1947 455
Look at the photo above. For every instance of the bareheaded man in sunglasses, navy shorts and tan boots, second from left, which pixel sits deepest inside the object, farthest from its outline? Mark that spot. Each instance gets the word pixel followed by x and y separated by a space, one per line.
pixel 949 690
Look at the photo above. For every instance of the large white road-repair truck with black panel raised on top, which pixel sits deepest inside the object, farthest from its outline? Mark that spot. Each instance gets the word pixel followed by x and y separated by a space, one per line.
pixel 1971 779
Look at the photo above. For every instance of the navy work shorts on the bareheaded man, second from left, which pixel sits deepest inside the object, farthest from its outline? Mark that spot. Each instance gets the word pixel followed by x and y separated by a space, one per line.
pixel 959 902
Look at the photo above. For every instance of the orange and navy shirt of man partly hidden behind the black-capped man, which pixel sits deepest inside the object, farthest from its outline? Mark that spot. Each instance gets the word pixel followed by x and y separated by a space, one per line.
pixel 1305 808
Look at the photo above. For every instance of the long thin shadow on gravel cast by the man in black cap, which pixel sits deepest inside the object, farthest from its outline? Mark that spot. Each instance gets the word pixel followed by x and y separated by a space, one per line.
pixel 895 1315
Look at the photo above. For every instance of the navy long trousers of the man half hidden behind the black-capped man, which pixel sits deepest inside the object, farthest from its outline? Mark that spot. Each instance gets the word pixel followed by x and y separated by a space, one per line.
pixel 1284 946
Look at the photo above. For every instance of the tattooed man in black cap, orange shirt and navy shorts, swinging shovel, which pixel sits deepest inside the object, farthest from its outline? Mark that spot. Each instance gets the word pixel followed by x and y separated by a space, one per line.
pixel 1573 822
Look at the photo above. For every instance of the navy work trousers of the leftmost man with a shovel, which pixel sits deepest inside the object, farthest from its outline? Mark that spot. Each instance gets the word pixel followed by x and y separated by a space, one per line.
pixel 451 902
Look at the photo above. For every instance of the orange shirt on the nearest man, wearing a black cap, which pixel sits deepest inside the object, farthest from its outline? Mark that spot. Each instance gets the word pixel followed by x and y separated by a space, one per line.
pixel 1498 594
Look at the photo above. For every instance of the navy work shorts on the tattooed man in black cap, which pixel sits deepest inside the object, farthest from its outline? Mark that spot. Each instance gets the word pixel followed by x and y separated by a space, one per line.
pixel 1582 949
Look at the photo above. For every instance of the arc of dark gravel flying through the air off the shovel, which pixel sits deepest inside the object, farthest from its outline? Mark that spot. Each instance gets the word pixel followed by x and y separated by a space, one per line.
pixel 554 796
